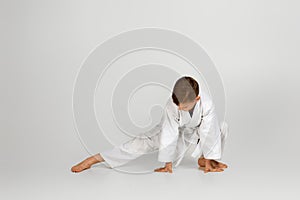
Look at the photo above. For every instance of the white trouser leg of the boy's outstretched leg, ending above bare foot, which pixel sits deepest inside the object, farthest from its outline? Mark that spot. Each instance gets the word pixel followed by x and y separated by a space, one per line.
pixel 130 150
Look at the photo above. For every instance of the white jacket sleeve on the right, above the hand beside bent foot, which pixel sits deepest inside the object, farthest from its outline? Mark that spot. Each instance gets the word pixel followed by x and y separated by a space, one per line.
pixel 210 134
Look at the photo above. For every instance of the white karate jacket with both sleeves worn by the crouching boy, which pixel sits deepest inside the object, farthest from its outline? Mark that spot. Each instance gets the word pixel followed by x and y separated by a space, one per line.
pixel 178 130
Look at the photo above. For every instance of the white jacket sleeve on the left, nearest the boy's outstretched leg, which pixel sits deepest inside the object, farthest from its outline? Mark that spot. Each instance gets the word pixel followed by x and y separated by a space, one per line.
pixel 169 134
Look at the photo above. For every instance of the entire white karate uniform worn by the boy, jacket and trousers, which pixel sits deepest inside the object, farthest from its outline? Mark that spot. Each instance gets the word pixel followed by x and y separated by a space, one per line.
pixel 174 134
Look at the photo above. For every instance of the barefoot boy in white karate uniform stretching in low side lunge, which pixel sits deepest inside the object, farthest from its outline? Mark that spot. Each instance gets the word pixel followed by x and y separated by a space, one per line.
pixel 187 117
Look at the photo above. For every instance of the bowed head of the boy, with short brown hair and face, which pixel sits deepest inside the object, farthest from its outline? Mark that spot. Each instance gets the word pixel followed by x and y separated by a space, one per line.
pixel 185 93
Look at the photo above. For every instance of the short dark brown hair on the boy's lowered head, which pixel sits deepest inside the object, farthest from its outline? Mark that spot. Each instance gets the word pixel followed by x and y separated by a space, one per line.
pixel 185 90
